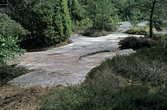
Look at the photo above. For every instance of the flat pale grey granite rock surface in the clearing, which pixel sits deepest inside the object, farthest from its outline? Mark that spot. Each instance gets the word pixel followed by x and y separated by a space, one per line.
pixel 68 65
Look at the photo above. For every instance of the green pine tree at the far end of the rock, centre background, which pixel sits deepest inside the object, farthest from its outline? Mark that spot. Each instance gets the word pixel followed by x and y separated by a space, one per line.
pixel 102 12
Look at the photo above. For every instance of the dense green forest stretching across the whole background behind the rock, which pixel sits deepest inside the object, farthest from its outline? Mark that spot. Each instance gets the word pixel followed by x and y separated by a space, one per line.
pixel 38 23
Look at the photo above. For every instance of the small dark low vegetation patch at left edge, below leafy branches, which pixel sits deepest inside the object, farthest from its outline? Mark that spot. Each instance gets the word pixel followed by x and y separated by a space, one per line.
pixel 8 72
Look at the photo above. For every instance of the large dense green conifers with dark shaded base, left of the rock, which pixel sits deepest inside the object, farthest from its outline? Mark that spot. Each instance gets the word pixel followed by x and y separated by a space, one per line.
pixel 48 21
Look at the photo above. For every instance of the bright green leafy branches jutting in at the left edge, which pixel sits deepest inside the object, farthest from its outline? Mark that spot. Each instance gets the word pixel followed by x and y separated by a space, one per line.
pixel 8 49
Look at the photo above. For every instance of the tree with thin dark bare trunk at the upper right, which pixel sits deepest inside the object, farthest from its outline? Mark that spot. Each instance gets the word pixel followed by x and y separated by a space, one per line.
pixel 156 9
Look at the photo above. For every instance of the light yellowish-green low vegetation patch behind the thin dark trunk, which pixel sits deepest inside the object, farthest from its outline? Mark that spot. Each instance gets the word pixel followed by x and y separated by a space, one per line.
pixel 141 30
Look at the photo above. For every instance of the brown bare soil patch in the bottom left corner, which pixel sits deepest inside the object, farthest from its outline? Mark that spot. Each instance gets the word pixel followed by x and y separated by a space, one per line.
pixel 17 98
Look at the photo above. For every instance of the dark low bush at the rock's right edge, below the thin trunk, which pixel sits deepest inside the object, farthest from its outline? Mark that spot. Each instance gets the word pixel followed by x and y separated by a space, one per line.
pixel 137 43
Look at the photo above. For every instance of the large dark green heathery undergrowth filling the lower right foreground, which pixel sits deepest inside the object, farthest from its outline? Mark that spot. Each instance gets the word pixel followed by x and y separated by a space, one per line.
pixel 134 82
